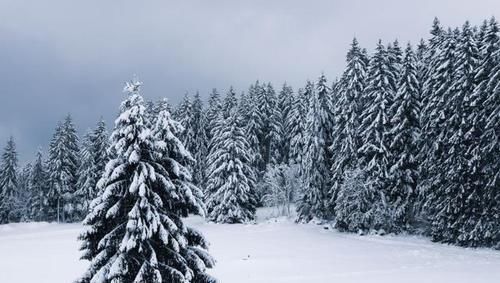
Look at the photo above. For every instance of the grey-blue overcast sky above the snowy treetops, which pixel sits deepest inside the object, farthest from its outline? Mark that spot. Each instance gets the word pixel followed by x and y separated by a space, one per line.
pixel 59 57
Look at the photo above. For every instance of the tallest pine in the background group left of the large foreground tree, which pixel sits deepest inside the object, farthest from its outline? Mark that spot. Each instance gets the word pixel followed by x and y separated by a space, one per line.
pixel 62 167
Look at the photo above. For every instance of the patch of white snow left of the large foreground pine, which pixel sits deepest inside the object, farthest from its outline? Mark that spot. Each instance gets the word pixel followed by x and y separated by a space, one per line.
pixel 39 252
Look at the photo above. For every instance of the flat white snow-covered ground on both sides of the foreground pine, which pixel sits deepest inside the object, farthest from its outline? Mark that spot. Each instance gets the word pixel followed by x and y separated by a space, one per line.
pixel 272 251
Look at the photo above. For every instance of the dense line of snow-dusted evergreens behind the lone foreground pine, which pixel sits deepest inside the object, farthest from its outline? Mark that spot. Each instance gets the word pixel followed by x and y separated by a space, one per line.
pixel 406 140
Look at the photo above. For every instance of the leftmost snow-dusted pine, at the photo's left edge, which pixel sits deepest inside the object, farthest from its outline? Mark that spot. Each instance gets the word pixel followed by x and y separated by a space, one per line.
pixel 8 183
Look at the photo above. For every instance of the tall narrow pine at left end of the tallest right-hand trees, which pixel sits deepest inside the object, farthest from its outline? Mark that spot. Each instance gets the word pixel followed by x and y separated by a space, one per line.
pixel 345 133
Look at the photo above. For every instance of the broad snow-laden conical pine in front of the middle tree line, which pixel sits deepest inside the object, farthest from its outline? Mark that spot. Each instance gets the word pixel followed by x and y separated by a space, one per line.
pixel 231 194
